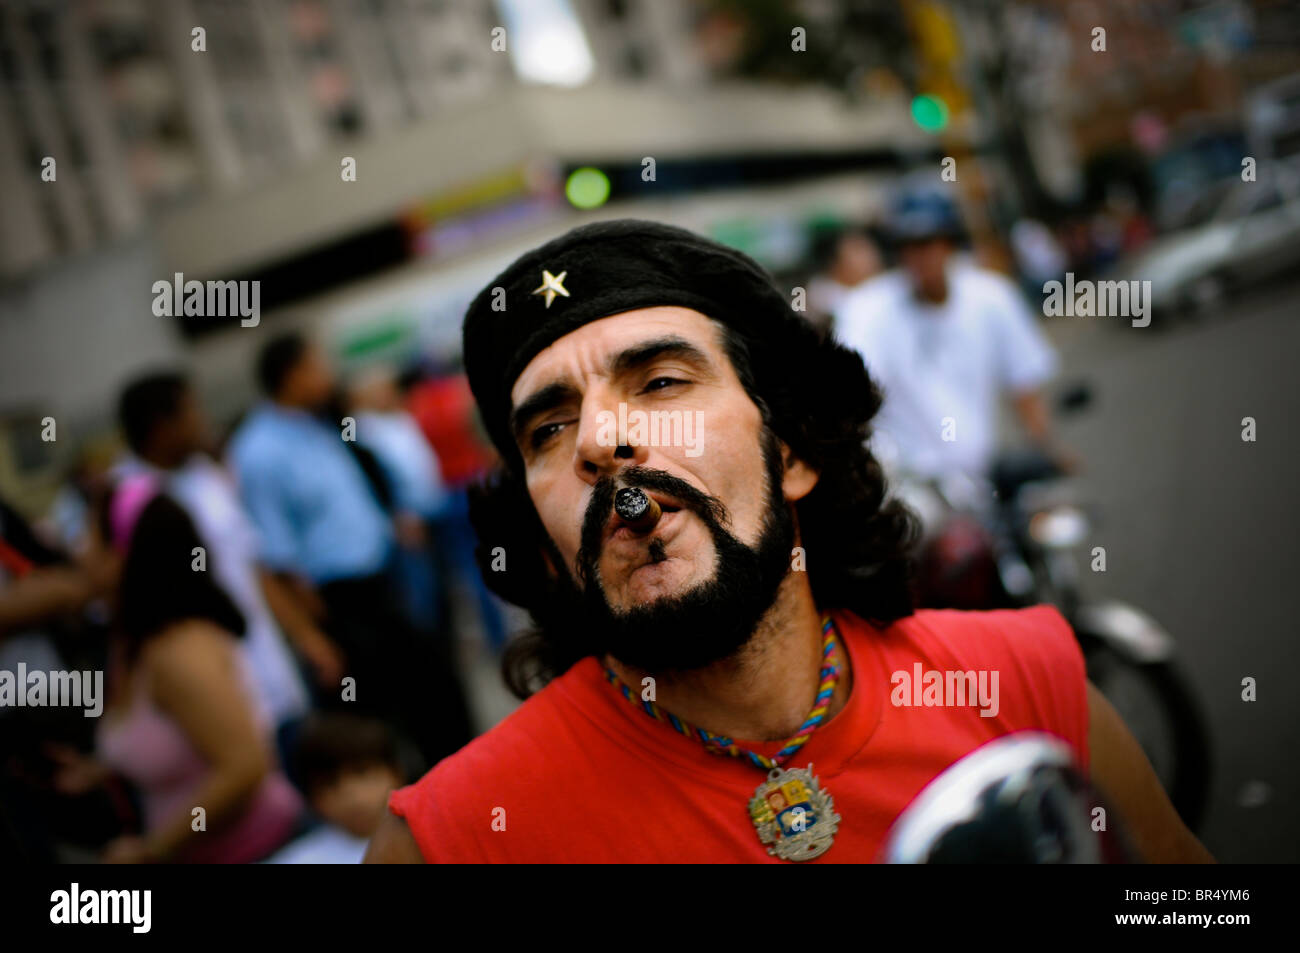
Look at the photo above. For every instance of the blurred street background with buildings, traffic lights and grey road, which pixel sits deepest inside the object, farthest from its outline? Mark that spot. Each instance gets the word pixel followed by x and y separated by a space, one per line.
pixel 775 127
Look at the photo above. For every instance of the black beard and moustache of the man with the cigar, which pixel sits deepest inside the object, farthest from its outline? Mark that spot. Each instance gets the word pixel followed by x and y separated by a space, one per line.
pixel 705 625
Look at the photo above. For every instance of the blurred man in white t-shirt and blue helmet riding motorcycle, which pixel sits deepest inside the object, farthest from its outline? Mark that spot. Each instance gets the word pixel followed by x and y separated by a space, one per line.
pixel 946 340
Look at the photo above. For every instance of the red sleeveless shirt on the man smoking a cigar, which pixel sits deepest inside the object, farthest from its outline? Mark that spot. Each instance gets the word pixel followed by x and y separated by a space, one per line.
pixel 578 774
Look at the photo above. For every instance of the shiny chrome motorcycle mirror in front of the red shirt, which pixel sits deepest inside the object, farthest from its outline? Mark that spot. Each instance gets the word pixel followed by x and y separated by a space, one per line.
pixel 1019 799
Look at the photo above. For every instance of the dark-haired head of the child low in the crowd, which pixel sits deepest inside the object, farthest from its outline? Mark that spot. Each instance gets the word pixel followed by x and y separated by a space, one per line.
pixel 348 766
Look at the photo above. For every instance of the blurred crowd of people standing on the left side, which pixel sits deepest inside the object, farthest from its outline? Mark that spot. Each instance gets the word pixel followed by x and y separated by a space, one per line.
pixel 276 616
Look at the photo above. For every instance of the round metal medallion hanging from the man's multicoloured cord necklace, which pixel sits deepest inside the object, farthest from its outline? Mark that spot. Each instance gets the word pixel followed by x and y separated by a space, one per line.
pixel 794 816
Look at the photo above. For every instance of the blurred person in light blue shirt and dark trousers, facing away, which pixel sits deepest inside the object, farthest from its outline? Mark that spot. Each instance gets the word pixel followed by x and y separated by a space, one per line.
pixel 324 529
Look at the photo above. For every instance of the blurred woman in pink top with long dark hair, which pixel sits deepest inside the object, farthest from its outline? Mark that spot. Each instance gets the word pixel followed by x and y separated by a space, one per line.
pixel 181 724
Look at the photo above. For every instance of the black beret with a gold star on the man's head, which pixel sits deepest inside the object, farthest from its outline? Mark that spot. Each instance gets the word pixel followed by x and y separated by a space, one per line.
pixel 608 268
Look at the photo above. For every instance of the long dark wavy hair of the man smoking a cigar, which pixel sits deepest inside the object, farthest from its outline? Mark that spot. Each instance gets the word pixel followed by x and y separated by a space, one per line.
pixel 814 395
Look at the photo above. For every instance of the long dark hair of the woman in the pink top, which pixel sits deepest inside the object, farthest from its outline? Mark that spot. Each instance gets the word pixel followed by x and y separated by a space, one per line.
pixel 159 586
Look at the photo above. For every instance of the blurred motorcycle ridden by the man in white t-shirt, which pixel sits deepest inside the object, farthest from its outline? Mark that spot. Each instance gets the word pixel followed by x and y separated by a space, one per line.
pixel 1013 540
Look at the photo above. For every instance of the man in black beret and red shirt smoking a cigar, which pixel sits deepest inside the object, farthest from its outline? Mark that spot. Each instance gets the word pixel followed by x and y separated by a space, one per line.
pixel 697 691
